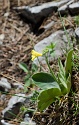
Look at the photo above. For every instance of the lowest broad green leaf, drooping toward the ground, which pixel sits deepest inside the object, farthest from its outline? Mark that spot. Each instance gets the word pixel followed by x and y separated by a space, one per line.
pixel 47 97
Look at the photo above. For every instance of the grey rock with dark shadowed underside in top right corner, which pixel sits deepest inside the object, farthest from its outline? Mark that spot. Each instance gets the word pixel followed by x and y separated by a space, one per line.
pixel 74 8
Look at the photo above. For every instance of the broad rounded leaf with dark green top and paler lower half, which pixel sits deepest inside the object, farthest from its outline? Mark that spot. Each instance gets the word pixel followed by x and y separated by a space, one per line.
pixel 45 81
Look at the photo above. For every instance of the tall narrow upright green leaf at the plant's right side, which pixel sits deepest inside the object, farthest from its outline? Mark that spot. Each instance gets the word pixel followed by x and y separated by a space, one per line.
pixel 68 66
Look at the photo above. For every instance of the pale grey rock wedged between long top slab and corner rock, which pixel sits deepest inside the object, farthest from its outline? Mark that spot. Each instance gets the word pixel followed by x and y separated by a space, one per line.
pixel 64 9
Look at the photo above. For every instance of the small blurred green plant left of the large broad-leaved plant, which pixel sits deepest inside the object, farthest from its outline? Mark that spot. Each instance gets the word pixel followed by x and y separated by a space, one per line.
pixel 29 73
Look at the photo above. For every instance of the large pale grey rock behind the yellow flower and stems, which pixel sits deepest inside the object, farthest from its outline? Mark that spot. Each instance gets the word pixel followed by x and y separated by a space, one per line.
pixel 61 41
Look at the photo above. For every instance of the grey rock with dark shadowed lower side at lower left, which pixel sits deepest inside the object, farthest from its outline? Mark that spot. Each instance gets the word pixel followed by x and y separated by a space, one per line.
pixel 13 106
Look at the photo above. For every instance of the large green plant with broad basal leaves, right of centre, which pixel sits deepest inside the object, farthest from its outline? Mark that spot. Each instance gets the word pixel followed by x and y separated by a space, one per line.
pixel 54 87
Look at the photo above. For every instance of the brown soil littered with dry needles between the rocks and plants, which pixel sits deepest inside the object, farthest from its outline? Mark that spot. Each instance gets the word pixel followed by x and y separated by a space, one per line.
pixel 16 47
